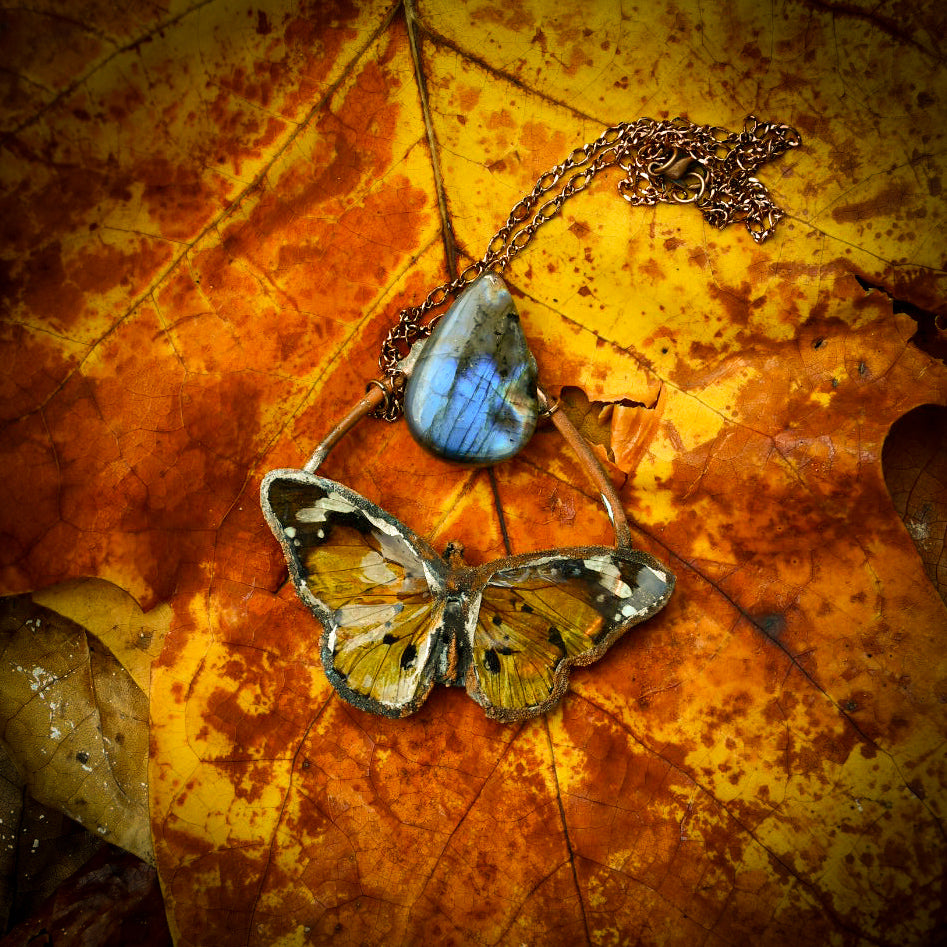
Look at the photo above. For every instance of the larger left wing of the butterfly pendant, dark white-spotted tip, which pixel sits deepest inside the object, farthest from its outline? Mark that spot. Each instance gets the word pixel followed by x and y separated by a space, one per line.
pixel 377 588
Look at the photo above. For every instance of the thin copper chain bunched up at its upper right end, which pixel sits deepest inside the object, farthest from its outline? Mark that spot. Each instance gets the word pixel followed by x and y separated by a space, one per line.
pixel 673 162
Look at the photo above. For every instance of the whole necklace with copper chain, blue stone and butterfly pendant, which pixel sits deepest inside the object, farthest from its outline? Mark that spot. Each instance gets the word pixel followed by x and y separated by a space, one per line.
pixel 398 617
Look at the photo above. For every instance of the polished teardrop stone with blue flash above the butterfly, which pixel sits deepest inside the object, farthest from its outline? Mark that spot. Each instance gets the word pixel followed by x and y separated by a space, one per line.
pixel 472 395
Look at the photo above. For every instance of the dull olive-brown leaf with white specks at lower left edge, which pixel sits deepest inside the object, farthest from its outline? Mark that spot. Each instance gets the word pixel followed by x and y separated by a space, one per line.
pixel 75 723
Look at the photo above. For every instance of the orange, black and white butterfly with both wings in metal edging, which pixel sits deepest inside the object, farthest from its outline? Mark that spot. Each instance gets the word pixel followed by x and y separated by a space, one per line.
pixel 398 618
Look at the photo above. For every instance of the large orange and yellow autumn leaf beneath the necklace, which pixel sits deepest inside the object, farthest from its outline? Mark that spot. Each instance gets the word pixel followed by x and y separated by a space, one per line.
pixel 211 213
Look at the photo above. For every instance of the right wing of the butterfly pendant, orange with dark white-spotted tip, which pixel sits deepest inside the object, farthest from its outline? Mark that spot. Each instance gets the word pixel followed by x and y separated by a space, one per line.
pixel 541 614
